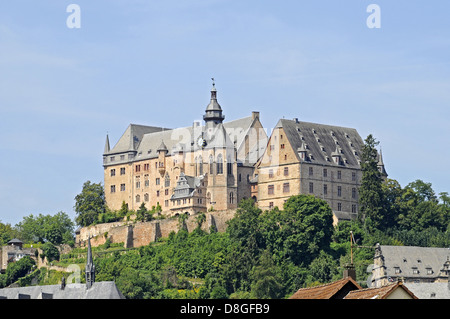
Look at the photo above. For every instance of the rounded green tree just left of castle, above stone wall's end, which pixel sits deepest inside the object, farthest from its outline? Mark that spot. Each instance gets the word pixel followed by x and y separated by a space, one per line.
pixel 89 204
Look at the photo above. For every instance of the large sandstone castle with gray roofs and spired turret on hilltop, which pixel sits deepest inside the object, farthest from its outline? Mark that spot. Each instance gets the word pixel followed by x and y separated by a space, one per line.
pixel 213 166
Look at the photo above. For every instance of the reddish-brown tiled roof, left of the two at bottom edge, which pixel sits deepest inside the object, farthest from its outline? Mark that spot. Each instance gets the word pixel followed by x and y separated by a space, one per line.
pixel 334 290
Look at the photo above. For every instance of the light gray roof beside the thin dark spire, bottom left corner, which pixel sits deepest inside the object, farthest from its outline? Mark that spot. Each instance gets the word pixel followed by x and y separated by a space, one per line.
pixel 99 290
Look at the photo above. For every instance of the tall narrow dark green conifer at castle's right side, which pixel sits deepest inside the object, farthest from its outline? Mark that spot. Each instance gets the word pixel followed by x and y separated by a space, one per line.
pixel 371 199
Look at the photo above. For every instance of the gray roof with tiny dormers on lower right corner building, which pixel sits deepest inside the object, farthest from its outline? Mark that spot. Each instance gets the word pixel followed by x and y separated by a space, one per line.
pixel 413 261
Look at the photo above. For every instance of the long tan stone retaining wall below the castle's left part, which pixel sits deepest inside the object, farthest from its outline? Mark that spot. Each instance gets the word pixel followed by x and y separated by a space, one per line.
pixel 136 234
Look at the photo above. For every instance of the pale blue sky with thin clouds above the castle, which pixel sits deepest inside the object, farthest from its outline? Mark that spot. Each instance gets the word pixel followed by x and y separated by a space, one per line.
pixel 150 62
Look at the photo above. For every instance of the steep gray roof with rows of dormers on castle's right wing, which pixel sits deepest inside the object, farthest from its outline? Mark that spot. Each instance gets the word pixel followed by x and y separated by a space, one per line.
pixel 322 141
